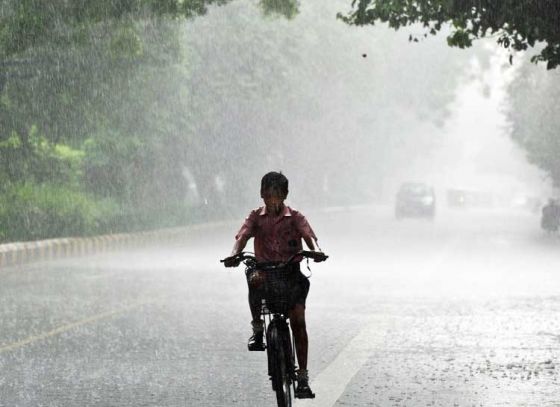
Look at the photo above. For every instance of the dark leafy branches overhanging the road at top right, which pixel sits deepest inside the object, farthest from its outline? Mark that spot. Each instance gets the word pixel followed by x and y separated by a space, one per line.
pixel 518 24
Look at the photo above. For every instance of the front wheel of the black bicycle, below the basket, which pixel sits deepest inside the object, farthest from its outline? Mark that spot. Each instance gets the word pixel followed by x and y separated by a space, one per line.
pixel 279 368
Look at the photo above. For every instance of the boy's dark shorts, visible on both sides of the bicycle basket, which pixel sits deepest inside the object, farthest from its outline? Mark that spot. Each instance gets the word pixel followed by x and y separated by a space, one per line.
pixel 297 284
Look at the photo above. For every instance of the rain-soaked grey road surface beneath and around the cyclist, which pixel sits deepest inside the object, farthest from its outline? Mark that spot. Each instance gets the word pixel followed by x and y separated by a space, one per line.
pixel 458 312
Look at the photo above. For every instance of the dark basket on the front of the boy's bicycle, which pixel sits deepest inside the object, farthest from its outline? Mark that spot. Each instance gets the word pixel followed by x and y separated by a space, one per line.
pixel 277 298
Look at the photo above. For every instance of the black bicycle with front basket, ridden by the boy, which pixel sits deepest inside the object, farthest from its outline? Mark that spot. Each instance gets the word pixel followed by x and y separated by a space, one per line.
pixel 275 306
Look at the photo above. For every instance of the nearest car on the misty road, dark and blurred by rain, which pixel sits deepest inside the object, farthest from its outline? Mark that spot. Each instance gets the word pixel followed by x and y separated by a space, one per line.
pixel 415 199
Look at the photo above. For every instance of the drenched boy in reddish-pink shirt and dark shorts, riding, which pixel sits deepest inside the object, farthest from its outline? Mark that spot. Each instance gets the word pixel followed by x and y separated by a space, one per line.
pixel 278 231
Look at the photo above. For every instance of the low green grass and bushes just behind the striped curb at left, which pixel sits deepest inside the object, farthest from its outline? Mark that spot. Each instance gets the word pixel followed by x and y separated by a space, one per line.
pixel 31 211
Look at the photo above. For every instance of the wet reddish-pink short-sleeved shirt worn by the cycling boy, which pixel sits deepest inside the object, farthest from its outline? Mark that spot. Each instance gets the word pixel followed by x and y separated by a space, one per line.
pixel 277 238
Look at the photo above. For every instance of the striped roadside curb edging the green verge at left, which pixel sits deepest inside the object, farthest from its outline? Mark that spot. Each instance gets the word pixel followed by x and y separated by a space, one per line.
pixel 13 254
